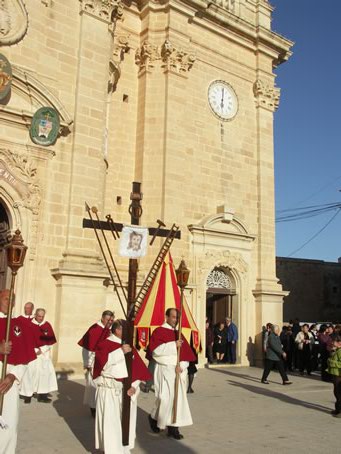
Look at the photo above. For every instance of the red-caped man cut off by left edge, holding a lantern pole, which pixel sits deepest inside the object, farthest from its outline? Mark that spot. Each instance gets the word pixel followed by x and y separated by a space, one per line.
pixel 20 352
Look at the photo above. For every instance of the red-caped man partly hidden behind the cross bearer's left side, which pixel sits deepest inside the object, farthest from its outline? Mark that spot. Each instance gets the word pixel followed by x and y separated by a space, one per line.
pixel 95 334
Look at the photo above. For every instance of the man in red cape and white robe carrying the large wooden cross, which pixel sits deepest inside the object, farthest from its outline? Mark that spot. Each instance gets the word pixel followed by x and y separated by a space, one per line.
pixel 109 371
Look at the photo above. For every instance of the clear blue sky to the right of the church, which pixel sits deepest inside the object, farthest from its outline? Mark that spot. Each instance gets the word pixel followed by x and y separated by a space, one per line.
pixel 307 130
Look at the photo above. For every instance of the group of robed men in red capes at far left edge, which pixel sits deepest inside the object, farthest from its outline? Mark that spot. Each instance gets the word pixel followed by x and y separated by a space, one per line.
pixel 29 371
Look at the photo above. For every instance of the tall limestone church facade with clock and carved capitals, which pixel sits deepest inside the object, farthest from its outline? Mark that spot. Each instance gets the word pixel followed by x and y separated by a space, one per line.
pixel 179 95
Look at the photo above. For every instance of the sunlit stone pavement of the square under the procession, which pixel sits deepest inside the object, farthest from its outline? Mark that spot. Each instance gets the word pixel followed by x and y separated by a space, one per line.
pixel 231 409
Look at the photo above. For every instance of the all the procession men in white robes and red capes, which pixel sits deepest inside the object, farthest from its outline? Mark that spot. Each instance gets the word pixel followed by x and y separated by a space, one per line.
pixel 30 373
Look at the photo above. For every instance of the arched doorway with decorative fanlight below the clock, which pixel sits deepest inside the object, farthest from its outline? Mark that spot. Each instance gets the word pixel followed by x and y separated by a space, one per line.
pixel 220 295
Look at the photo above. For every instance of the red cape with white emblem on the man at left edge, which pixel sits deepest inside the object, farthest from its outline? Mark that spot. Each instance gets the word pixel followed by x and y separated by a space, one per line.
pixel 22 341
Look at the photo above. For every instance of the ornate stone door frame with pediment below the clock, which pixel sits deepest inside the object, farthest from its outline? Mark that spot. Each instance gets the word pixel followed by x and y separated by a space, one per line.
pixel 223 241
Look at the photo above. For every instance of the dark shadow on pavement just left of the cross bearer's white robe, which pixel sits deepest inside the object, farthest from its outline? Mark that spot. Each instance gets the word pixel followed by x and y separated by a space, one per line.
pixel 69 406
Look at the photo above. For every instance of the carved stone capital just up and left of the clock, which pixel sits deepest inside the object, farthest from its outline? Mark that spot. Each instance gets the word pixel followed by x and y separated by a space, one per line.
pixel 176 60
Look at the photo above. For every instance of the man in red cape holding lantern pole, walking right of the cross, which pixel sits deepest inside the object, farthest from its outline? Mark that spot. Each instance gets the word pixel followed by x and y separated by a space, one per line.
pixel 163 348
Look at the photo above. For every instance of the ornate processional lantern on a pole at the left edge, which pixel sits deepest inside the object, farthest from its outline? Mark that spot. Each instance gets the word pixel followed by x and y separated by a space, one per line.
pixel 16 252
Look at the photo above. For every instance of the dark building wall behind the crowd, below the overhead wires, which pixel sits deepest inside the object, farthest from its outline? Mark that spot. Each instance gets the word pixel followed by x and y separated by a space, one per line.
pixel 314 288
